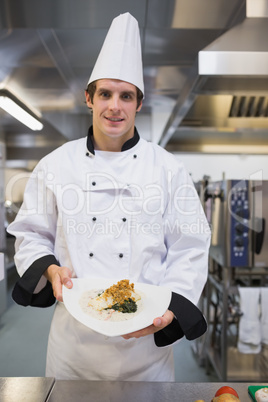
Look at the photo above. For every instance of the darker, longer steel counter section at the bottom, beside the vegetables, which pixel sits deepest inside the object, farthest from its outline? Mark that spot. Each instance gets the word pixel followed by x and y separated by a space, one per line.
pixel 81 391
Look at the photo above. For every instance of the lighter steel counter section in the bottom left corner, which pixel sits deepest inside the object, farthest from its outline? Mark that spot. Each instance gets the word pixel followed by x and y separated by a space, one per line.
pixel 25 389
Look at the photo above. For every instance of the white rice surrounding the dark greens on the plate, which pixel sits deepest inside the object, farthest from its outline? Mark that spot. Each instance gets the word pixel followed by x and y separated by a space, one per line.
pixel 110 314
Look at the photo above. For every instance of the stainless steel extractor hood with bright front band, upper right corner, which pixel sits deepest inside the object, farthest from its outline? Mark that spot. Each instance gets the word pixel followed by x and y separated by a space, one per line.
pixel 241 51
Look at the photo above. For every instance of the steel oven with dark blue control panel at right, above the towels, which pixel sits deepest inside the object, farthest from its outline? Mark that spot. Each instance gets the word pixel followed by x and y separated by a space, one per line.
pixel 237 211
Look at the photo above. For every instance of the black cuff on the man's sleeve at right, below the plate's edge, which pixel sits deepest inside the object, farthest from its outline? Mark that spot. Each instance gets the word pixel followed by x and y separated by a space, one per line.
pixel 189 322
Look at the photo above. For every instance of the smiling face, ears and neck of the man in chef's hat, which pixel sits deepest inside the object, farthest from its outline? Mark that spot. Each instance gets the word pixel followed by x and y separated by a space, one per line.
pixel 114 109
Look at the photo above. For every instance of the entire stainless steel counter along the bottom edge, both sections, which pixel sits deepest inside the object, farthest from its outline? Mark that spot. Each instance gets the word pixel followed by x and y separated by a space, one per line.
pixel 28 389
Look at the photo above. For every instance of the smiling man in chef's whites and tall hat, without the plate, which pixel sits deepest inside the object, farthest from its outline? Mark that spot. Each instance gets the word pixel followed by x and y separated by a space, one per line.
pixel 112 205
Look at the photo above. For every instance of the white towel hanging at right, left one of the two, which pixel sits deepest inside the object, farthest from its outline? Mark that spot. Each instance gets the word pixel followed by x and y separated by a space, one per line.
pixel 249 333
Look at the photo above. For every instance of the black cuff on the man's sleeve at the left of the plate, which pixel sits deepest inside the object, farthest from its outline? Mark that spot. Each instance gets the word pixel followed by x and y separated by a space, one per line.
pixel 24 288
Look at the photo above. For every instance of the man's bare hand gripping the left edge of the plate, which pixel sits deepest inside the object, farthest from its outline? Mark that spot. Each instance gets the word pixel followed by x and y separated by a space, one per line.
pixel 59 276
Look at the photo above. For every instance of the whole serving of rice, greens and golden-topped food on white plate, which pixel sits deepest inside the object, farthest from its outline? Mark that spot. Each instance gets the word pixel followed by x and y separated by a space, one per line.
pixel 117 303
